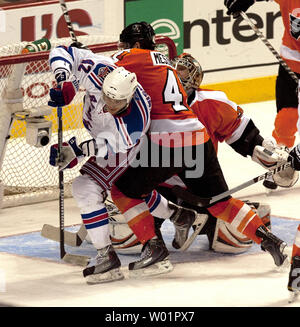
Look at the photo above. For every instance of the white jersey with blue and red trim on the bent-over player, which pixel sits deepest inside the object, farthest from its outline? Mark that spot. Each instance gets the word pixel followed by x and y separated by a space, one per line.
pixel 115 133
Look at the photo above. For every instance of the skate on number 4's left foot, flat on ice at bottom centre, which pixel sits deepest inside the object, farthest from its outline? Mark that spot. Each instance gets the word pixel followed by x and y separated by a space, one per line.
pixel 154 260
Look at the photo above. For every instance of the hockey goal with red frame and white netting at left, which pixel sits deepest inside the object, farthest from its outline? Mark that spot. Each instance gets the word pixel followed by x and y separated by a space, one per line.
pixel 25 80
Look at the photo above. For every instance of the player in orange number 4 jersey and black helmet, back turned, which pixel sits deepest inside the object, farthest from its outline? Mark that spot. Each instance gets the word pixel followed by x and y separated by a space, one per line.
pixel 171 115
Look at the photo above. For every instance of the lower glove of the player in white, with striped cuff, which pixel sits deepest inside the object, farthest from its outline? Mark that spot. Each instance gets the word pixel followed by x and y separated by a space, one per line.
pixel 71 153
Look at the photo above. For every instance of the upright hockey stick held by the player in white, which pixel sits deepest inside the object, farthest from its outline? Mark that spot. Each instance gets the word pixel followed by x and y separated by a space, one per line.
pixel 67 257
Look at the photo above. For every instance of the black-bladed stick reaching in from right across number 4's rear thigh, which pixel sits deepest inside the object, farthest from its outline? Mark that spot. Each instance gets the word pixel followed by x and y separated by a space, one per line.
pixel 204 202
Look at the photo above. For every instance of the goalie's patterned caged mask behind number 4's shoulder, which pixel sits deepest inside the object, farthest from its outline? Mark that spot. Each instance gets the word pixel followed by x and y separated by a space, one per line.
pixel 189 71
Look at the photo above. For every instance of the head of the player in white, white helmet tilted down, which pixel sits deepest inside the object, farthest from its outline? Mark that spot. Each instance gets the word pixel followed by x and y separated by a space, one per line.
pixel 118 89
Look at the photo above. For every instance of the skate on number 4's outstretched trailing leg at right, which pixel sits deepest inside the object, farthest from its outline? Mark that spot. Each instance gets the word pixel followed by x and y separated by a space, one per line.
pixel 272 244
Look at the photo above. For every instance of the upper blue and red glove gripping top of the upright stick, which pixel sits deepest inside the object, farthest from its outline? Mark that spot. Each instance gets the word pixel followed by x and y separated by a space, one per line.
pixel 63 94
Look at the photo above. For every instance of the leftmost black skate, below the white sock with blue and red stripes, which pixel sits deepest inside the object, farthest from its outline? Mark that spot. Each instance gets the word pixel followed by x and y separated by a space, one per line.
pixel 105 267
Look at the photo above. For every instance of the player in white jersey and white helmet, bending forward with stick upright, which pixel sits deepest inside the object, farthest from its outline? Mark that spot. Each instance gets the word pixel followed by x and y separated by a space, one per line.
pixel 116 113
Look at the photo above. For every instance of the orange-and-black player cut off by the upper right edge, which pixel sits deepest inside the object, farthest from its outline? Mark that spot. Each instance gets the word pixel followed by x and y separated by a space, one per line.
pixel 285 125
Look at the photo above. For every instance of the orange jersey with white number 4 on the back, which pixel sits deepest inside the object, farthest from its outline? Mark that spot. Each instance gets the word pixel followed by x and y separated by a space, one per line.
pixel 170 112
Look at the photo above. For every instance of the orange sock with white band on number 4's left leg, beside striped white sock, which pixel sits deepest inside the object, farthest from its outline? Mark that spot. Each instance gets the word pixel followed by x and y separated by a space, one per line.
pixel 136 213
